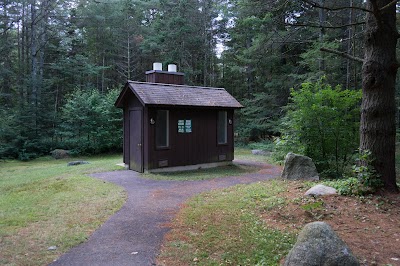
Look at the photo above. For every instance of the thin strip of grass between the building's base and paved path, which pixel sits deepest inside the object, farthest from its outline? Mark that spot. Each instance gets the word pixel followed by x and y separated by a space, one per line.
pixel 203 174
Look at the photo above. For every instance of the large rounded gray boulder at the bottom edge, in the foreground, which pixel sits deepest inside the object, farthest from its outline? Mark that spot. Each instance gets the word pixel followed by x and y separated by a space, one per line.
pixel 318 245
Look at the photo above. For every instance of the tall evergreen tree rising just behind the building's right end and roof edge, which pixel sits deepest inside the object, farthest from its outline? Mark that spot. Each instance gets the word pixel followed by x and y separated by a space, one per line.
pixel 256 67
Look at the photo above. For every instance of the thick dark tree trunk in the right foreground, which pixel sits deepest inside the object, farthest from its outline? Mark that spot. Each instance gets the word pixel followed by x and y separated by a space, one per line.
pixel 377 130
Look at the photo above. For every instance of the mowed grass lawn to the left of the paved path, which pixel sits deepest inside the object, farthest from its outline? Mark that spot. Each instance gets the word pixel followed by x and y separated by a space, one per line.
pixel 47 203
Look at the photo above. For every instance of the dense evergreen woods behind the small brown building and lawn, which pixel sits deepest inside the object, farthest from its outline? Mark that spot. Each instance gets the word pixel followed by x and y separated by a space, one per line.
pixel 62 60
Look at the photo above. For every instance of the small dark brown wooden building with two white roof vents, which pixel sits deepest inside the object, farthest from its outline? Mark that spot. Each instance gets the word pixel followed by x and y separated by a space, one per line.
pixel 170 126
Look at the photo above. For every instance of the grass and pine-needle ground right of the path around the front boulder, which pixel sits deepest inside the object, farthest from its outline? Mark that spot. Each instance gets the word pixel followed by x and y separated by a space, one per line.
pixel 257 224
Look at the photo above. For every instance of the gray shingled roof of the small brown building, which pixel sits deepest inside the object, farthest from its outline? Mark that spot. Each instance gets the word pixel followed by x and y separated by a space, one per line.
pixel 182 95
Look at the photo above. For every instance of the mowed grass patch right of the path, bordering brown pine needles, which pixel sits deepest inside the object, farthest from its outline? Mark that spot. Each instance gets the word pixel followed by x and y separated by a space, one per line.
pixel 224 227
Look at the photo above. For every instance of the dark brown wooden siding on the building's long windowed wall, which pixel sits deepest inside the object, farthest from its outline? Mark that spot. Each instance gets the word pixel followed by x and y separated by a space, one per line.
pixel 199 146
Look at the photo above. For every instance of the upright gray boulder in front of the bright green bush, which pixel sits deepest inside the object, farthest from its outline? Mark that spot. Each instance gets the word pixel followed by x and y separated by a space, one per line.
pixel 299 167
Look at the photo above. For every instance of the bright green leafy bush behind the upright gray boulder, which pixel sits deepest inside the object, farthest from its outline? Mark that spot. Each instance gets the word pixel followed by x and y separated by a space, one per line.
pixel 323 123
